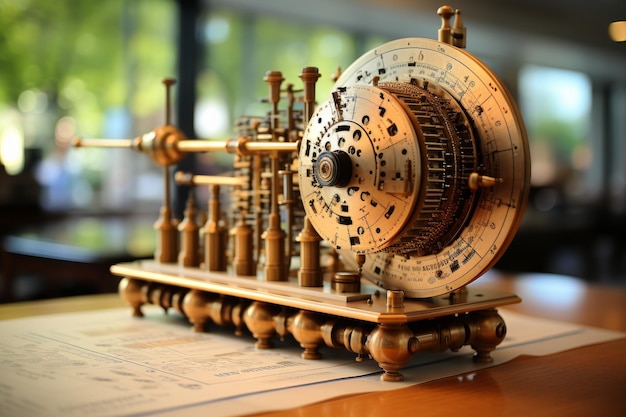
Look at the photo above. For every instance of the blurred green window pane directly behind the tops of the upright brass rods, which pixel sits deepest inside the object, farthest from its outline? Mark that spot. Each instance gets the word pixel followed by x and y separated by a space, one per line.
pixel 241 48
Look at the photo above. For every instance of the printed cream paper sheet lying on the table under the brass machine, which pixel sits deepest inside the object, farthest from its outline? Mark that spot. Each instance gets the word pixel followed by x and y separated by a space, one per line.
pixel 107 363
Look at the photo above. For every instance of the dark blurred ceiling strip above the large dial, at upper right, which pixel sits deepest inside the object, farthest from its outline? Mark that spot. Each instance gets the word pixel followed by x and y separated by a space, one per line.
pixel 566 33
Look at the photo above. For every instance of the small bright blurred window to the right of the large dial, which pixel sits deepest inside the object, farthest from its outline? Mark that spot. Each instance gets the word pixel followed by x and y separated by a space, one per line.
pixel 556 106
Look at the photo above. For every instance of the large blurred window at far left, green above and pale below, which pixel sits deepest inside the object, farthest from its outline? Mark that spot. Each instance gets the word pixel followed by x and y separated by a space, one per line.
pixel 71 68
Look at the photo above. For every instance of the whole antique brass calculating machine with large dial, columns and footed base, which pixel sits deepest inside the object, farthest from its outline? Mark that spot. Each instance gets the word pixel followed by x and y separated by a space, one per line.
pixel 356 223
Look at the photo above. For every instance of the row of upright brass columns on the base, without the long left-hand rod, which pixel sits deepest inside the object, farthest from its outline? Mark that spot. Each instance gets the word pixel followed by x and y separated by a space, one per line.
pixel 278 245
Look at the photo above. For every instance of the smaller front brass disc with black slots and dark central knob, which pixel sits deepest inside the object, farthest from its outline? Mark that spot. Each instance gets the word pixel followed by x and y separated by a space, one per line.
pixel 359 169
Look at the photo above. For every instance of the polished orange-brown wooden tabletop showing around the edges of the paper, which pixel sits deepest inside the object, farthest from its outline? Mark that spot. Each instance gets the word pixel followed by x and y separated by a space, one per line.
pixel 587 381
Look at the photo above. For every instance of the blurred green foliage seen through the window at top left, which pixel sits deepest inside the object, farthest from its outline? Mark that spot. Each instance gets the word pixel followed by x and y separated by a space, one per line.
pixel 85 56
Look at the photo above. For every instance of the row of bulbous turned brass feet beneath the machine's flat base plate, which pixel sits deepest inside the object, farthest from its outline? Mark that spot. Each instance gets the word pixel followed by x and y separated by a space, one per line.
pixel 390 345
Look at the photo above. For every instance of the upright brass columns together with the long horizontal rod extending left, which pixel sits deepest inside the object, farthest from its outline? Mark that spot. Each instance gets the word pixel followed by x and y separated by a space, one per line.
pixel 177 242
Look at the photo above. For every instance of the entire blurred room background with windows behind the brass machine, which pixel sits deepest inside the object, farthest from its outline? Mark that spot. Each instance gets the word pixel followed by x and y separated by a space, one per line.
pixel 76 68
